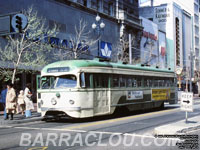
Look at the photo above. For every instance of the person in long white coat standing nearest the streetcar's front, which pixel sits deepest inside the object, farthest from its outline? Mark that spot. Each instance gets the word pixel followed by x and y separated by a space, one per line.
pixel 28 101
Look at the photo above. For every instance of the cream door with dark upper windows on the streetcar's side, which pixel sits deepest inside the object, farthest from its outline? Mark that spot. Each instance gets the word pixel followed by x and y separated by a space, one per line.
pixel 102 94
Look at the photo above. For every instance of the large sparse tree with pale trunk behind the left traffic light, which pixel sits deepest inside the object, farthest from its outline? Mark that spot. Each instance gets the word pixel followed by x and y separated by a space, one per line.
pixel 27 48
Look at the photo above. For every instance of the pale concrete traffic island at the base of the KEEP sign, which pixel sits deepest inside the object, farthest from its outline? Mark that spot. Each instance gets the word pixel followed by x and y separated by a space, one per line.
pixel 180 127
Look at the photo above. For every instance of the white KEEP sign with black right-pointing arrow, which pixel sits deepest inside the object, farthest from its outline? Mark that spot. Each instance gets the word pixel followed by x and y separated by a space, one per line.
pixel 187 101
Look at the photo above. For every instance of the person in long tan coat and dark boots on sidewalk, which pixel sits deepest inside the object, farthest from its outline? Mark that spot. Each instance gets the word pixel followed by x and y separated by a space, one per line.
pixel 10 101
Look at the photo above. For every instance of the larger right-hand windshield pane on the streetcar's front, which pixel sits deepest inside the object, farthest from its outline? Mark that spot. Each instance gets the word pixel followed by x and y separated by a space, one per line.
pixel 67 81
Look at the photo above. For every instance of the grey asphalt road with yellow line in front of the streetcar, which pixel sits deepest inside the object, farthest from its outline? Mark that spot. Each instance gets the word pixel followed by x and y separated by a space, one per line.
pixel 122 131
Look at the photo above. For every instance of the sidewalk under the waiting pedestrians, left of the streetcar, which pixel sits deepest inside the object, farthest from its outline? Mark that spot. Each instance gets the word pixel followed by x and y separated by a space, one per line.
pixel 18 118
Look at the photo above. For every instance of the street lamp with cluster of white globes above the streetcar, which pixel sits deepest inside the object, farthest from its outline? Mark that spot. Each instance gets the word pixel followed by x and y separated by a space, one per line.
pixel 98 27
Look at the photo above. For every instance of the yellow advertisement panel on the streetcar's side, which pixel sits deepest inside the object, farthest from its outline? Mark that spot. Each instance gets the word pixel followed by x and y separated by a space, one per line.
pixel 160 94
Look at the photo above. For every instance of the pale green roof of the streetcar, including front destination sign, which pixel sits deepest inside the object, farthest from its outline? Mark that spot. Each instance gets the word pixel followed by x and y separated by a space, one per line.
pixel 71 65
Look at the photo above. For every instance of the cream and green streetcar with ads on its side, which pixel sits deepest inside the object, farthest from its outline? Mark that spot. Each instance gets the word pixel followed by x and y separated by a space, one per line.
pixel 88 88
